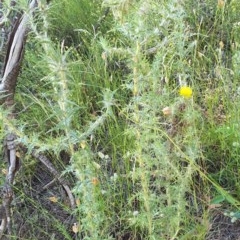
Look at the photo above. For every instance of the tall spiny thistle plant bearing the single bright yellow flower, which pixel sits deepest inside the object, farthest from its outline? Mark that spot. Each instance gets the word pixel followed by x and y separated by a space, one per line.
pixel 160 184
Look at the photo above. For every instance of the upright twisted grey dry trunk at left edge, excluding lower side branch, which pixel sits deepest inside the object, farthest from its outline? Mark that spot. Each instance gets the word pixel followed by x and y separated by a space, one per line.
pixel 8 83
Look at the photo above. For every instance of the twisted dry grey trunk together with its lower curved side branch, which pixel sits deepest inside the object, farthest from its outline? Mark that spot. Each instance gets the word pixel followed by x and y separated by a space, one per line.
pixel 13 58
